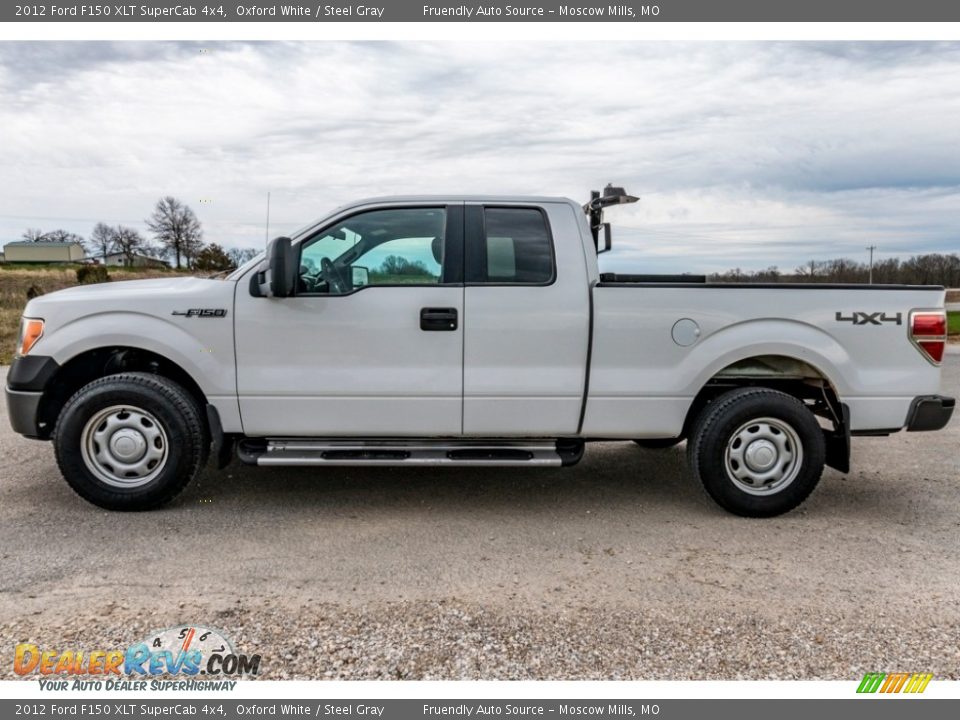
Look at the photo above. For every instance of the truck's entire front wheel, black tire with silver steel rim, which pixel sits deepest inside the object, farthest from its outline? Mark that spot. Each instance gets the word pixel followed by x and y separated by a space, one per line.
pixel 131 441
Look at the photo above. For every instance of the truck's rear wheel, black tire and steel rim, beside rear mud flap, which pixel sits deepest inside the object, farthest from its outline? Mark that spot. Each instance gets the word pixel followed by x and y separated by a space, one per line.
pixel 729 418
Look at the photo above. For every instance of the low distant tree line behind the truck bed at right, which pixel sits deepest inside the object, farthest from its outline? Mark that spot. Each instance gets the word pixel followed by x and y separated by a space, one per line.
pixel 928 269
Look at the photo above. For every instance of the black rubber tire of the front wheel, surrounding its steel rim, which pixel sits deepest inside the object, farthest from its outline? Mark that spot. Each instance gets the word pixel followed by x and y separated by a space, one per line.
pixel 185 440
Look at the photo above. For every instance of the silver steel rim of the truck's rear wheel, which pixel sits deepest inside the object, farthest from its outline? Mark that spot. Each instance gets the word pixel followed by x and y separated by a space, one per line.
pixel 763 456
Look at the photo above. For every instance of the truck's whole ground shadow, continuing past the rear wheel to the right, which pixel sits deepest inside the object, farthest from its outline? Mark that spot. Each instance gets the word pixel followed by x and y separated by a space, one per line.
pixel 614 476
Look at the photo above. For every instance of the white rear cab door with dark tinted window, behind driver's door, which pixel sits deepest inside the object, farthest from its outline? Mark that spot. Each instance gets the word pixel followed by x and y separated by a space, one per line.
pixel 527 320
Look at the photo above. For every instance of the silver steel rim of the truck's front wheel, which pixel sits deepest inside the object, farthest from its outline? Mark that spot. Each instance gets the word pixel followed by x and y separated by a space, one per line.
pixel 124 446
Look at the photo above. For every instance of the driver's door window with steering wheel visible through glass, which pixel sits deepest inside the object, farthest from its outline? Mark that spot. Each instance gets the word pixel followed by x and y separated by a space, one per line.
pixel 402 246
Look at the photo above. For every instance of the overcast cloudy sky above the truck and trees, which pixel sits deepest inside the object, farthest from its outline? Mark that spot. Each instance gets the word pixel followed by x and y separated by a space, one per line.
pixel 744 154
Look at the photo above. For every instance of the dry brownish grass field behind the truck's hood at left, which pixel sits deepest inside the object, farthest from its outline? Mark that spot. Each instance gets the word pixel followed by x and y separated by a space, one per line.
pixel 17 279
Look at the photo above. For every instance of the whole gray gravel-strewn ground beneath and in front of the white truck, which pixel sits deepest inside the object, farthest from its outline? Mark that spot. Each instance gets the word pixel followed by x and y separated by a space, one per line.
pixel 618 568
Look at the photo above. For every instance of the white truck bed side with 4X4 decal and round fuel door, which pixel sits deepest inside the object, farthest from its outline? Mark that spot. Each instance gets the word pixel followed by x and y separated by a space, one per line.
pixel 873 367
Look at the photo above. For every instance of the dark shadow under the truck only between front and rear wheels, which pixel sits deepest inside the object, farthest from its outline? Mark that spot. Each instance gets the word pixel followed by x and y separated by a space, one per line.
pixel 610 474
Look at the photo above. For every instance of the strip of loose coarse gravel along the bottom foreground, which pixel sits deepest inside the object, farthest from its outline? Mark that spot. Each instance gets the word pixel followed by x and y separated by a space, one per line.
pixel 444 640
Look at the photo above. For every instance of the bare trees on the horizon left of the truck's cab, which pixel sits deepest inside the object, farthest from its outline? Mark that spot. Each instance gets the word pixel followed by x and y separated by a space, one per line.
pixel 177 236
